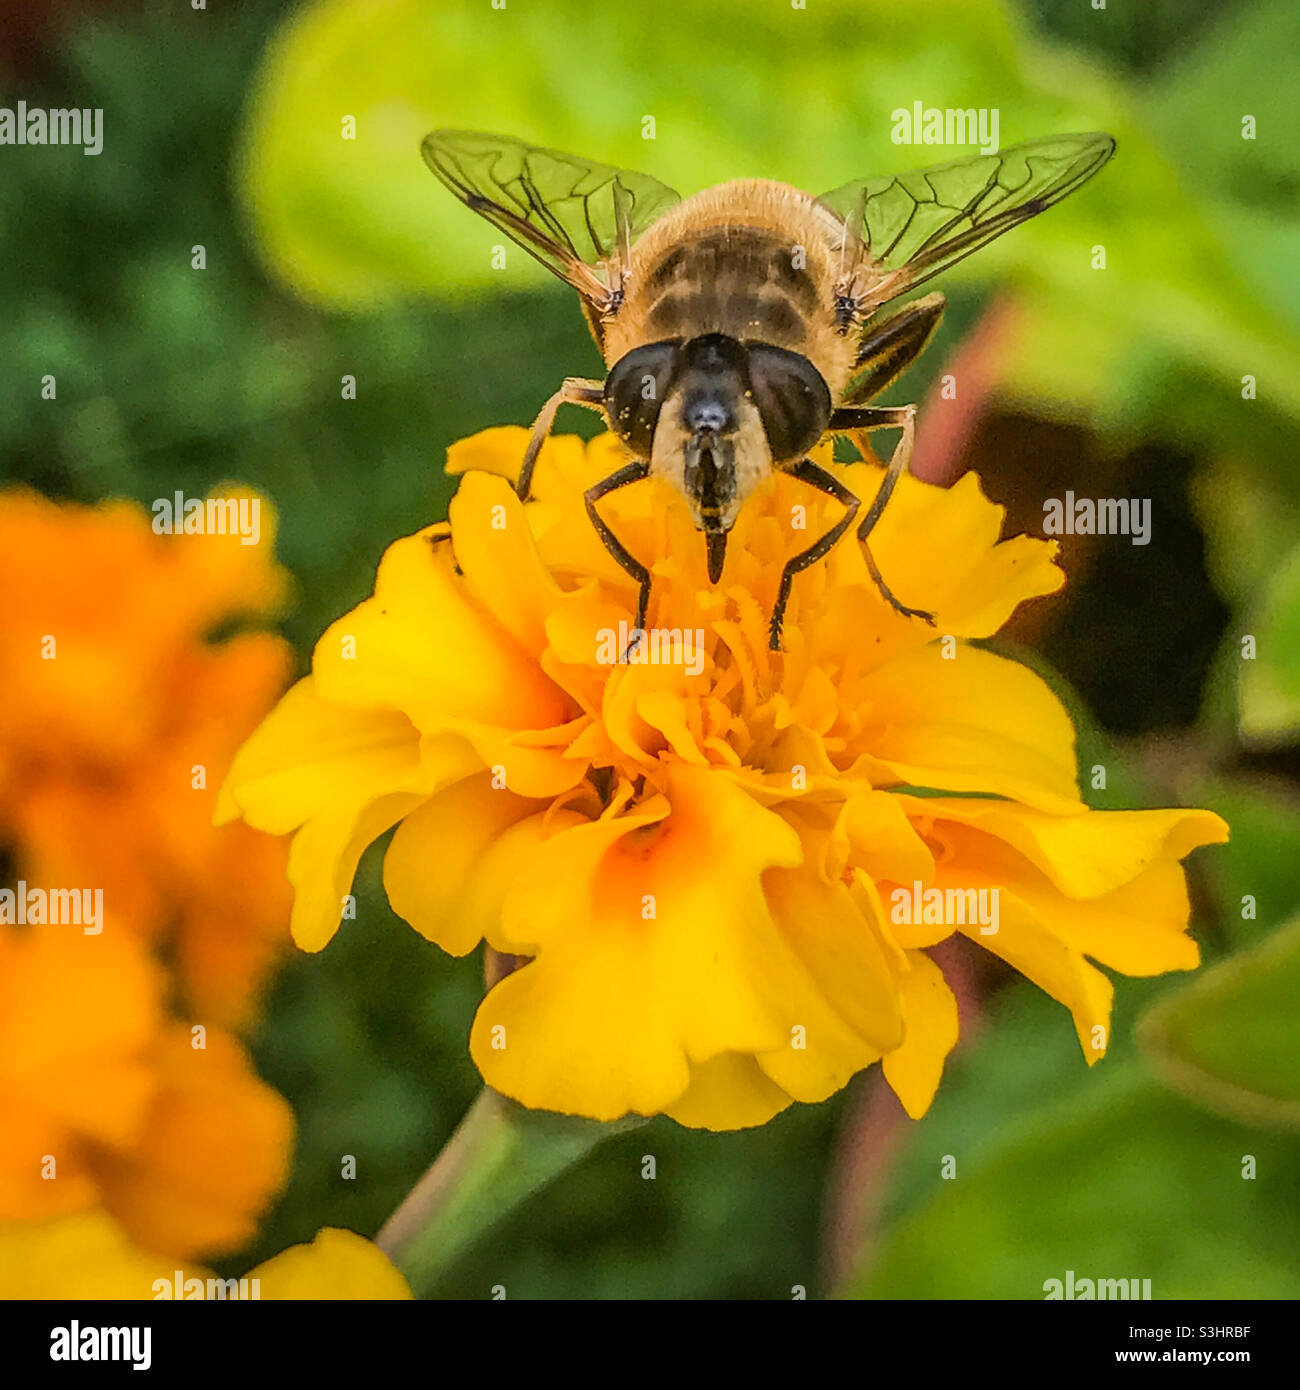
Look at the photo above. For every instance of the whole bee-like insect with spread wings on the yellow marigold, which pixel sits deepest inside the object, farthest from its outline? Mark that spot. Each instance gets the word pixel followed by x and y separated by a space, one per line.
pixel 742 326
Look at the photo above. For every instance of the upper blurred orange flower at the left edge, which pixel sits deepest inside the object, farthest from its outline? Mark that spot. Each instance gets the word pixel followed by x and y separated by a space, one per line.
pixel 119 719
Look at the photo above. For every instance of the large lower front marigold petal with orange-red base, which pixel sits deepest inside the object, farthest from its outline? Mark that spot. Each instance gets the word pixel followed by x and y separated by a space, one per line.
pixel 619 1001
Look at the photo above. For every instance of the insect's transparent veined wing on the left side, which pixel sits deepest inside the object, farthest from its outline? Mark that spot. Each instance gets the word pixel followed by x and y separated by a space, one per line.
pixel 578 218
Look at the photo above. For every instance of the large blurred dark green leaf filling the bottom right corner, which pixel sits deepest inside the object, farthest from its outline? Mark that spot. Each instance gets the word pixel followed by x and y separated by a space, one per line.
pixel 1128 1182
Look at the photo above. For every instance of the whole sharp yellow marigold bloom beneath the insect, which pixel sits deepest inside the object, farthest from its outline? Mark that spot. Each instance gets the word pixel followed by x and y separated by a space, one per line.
pixel 706 858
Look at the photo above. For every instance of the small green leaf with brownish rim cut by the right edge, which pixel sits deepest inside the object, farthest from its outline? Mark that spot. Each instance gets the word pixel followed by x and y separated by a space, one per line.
pixel 1228 1039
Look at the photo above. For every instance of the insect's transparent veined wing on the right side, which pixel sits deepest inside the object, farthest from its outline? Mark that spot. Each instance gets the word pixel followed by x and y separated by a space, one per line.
pixel 917 224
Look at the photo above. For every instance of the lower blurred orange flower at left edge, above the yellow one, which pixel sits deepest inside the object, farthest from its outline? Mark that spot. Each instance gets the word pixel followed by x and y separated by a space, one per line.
pixel 108 1102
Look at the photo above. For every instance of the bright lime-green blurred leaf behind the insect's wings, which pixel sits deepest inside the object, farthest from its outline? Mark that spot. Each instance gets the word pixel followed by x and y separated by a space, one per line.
pixel 348 222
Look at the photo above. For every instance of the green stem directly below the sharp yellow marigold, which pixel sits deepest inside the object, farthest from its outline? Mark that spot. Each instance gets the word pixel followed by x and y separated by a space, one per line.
pixel 500 1156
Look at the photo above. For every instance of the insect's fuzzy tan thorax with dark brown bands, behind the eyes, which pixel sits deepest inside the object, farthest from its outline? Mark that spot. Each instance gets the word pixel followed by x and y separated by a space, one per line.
pixel 750 261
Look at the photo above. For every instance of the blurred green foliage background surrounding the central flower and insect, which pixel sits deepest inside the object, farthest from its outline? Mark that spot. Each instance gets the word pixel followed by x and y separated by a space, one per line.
pixel 330 258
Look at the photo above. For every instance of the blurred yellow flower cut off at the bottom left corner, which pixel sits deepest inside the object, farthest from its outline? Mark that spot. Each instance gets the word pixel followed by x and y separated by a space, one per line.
pixel 90 1256
